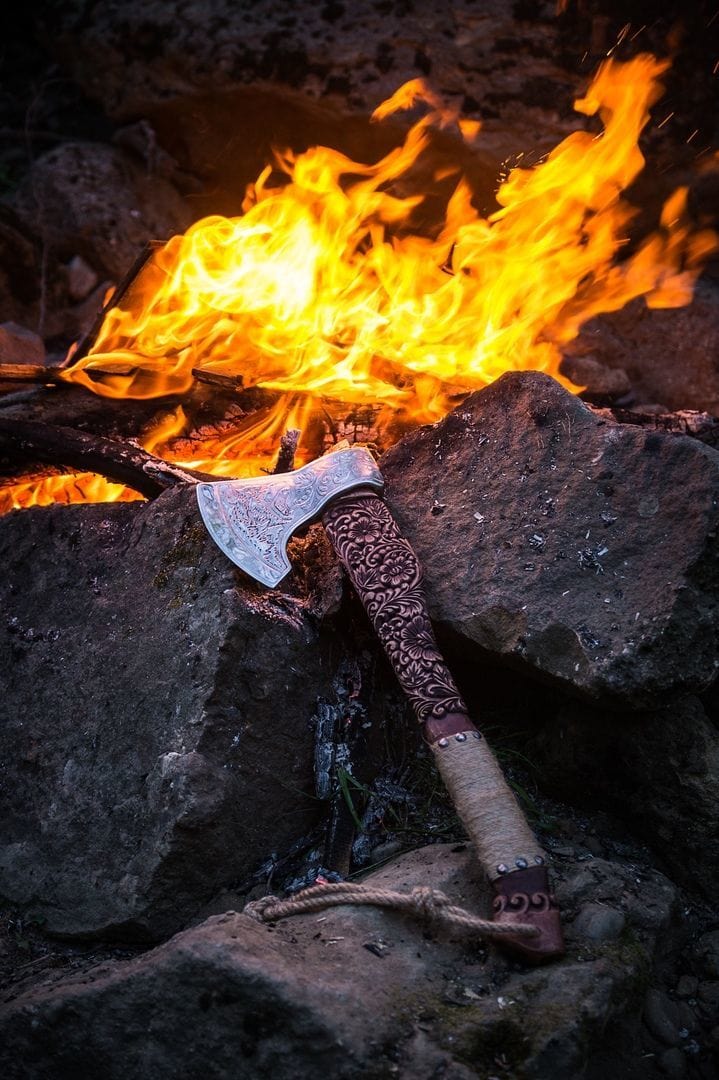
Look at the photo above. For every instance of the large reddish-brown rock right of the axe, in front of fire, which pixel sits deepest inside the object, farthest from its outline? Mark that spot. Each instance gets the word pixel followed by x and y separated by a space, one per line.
pixel 582 550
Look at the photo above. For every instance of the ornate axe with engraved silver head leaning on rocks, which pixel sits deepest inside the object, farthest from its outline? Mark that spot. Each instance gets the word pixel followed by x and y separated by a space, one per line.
pixel 252 522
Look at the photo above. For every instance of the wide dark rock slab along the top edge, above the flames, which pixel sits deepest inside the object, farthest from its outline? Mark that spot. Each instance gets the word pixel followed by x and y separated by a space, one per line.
pixel 356 56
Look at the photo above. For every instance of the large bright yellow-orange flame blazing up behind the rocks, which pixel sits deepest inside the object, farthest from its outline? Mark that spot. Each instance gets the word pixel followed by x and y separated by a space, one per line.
pixel 323 289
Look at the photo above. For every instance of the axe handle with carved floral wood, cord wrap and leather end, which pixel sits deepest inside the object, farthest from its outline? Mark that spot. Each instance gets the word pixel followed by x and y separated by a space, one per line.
pixel 388 578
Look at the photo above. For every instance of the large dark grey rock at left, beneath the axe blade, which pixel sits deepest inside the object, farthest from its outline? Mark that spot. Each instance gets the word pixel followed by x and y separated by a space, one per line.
pixel 157 715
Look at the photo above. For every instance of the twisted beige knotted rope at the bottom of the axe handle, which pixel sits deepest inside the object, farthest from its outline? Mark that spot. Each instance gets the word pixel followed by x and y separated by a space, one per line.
pixel 423 902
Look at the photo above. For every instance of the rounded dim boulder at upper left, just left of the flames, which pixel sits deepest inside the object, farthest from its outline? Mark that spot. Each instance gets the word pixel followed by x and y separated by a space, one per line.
pixel 98 202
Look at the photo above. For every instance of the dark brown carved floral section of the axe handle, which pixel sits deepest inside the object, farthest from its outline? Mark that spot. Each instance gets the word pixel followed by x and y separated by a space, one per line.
pixel 387 575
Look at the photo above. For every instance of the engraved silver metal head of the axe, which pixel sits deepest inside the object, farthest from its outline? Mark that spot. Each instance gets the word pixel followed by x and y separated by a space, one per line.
pixel 253 520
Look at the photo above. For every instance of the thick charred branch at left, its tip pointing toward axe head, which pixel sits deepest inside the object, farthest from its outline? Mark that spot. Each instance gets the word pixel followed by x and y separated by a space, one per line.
pixel 31 442
